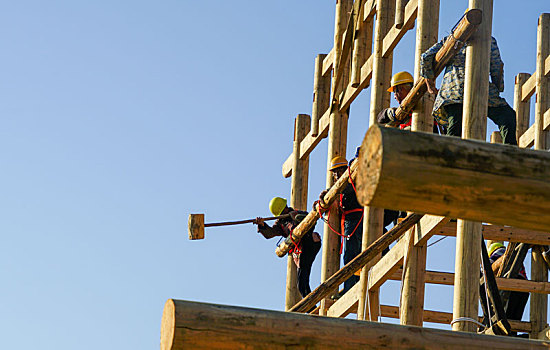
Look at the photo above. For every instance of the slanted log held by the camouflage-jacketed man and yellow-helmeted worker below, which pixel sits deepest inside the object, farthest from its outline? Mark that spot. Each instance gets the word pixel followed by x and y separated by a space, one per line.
pixel 454 43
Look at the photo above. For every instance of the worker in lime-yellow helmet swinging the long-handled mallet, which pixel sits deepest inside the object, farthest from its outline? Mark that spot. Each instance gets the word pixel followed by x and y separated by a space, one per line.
pixel 308 247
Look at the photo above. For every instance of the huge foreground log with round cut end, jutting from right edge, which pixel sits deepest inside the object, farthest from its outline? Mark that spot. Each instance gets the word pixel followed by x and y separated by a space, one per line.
pixel 452 177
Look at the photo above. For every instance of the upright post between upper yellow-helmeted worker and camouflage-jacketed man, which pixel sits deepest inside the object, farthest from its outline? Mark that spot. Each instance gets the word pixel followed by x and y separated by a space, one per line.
pixel 412 299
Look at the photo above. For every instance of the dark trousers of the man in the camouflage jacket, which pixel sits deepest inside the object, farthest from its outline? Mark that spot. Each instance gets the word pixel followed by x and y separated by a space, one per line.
pixel 503 116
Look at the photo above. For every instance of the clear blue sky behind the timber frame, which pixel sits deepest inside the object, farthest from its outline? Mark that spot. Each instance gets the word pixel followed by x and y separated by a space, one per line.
pixel 120 118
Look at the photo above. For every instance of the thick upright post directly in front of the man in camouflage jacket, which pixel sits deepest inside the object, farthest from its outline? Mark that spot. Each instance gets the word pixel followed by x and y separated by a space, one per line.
pixel 474 126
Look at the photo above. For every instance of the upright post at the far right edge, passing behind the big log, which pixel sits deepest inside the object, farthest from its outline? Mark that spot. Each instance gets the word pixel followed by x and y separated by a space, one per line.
pixel 539 272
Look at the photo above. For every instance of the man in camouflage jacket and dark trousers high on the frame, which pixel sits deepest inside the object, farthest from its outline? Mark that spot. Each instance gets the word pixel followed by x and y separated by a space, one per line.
pixel 447 109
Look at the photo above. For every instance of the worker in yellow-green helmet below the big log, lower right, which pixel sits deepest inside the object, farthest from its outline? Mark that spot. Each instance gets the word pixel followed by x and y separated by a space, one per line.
pixel 517 300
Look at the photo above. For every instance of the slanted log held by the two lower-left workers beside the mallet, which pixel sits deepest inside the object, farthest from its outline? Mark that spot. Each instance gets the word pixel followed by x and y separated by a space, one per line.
pixel 313 215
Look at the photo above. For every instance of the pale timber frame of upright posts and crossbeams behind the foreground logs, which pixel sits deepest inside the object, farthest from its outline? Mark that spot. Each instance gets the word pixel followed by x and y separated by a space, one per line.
pixel 378 28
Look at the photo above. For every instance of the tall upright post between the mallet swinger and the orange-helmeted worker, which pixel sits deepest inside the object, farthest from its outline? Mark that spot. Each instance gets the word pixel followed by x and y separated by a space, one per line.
pixel 337 139
